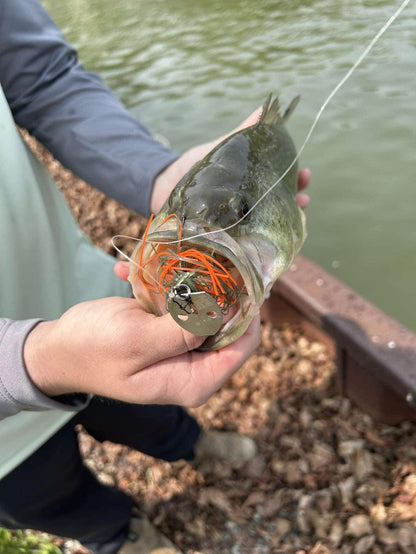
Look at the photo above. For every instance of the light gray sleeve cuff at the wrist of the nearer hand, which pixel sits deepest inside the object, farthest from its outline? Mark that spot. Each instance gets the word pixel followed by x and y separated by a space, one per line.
pixel 17 391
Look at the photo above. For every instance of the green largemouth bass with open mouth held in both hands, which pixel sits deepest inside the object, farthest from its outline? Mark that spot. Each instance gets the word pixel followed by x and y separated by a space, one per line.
pixel 230 227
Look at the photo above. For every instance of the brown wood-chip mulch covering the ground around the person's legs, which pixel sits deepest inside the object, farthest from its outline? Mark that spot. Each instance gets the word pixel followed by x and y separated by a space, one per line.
pixel 327 478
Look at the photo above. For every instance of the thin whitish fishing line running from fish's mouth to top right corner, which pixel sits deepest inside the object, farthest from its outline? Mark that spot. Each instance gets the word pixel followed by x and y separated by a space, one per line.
pixel 315 122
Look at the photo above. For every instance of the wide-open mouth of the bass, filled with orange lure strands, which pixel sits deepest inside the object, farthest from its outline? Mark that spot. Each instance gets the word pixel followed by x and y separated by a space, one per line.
pixel 163 259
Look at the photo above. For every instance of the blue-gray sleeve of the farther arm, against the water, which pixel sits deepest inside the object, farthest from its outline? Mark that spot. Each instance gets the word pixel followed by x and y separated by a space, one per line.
pixel 71 111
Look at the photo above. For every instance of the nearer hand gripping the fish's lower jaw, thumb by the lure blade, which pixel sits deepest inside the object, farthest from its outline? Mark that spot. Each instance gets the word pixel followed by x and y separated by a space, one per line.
pixel 112 347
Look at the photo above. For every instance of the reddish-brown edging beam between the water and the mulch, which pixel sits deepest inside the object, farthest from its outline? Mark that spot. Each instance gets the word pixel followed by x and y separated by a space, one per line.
pixel 375 354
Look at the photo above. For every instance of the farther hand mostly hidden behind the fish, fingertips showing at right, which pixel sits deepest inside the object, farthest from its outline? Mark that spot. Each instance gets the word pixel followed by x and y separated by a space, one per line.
pixel 167 179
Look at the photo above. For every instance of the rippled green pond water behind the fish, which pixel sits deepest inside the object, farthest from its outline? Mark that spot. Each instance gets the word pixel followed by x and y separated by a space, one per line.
pixel 192 71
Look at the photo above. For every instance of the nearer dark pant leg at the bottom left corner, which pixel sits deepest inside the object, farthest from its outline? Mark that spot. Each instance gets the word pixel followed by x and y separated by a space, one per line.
pixel 53 491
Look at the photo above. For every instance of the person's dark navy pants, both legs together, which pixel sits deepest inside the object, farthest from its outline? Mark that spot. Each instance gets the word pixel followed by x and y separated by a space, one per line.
pixel 53 491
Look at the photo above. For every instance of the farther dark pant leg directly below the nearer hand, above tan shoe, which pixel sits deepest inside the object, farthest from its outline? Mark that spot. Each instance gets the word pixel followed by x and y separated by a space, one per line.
pixel 165 432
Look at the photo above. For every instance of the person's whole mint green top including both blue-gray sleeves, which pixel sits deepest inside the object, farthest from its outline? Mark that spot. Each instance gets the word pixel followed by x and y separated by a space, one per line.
pixel 46 263
